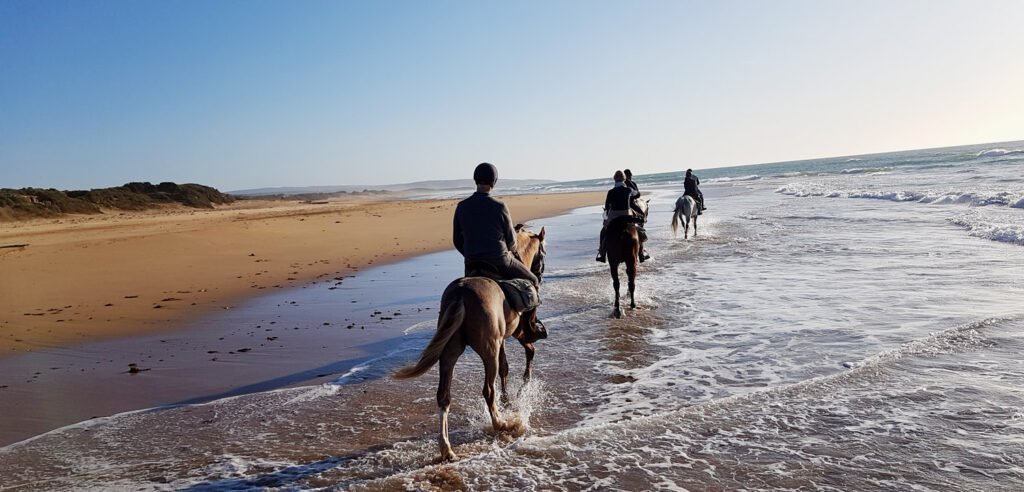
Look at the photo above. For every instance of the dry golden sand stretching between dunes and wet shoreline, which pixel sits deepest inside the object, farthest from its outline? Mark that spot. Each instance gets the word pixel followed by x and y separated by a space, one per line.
pixel 88 278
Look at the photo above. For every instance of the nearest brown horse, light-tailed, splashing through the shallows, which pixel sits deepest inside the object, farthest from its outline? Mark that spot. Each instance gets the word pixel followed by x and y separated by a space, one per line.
pixel 476 313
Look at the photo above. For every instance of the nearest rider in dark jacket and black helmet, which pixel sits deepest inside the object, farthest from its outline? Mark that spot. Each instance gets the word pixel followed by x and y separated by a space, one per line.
pixel 484 232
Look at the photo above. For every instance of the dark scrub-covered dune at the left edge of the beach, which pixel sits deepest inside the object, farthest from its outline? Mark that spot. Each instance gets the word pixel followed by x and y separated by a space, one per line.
pixel 33 202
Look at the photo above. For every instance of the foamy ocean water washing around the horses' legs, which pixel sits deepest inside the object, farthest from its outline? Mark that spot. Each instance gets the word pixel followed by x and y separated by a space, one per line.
pixel 840 324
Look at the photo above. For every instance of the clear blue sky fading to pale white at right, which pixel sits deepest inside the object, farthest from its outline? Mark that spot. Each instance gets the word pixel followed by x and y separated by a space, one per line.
pixel 251 94
